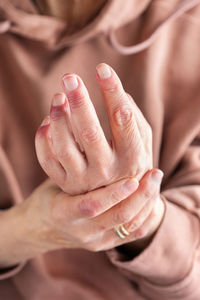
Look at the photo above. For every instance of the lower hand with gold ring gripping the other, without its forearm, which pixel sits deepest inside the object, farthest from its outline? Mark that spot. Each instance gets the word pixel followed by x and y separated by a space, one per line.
pixel 87 221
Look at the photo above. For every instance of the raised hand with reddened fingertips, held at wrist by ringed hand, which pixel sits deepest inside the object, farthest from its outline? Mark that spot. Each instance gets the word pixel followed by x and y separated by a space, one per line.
pixel 74 119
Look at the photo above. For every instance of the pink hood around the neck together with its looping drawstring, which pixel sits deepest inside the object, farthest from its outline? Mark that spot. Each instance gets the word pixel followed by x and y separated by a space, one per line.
pixel 22 18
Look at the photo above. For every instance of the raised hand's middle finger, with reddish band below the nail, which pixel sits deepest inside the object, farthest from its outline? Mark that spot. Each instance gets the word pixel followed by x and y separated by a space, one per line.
pixel 85 120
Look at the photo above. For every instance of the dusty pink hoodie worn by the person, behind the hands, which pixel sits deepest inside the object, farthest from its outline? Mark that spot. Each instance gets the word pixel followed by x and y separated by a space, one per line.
pixel 162 74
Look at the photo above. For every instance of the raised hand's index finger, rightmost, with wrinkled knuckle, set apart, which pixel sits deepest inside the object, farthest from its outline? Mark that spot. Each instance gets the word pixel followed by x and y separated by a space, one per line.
pixel 121 111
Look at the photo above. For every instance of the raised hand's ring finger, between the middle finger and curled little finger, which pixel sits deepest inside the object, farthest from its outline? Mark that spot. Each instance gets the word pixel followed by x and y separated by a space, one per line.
pixel 64 145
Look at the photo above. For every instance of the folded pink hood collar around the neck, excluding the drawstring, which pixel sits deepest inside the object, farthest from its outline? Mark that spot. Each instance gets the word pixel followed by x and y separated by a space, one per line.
pixel 53 31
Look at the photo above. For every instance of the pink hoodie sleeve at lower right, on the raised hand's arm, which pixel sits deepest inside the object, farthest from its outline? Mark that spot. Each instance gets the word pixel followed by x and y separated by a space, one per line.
pixel 169 268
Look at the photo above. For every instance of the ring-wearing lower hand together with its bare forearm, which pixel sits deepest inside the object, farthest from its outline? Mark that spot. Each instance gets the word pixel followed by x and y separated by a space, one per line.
pixel 50 219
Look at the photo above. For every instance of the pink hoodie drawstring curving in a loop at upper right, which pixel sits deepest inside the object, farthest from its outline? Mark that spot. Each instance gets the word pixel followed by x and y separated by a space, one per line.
pixel 184 7
